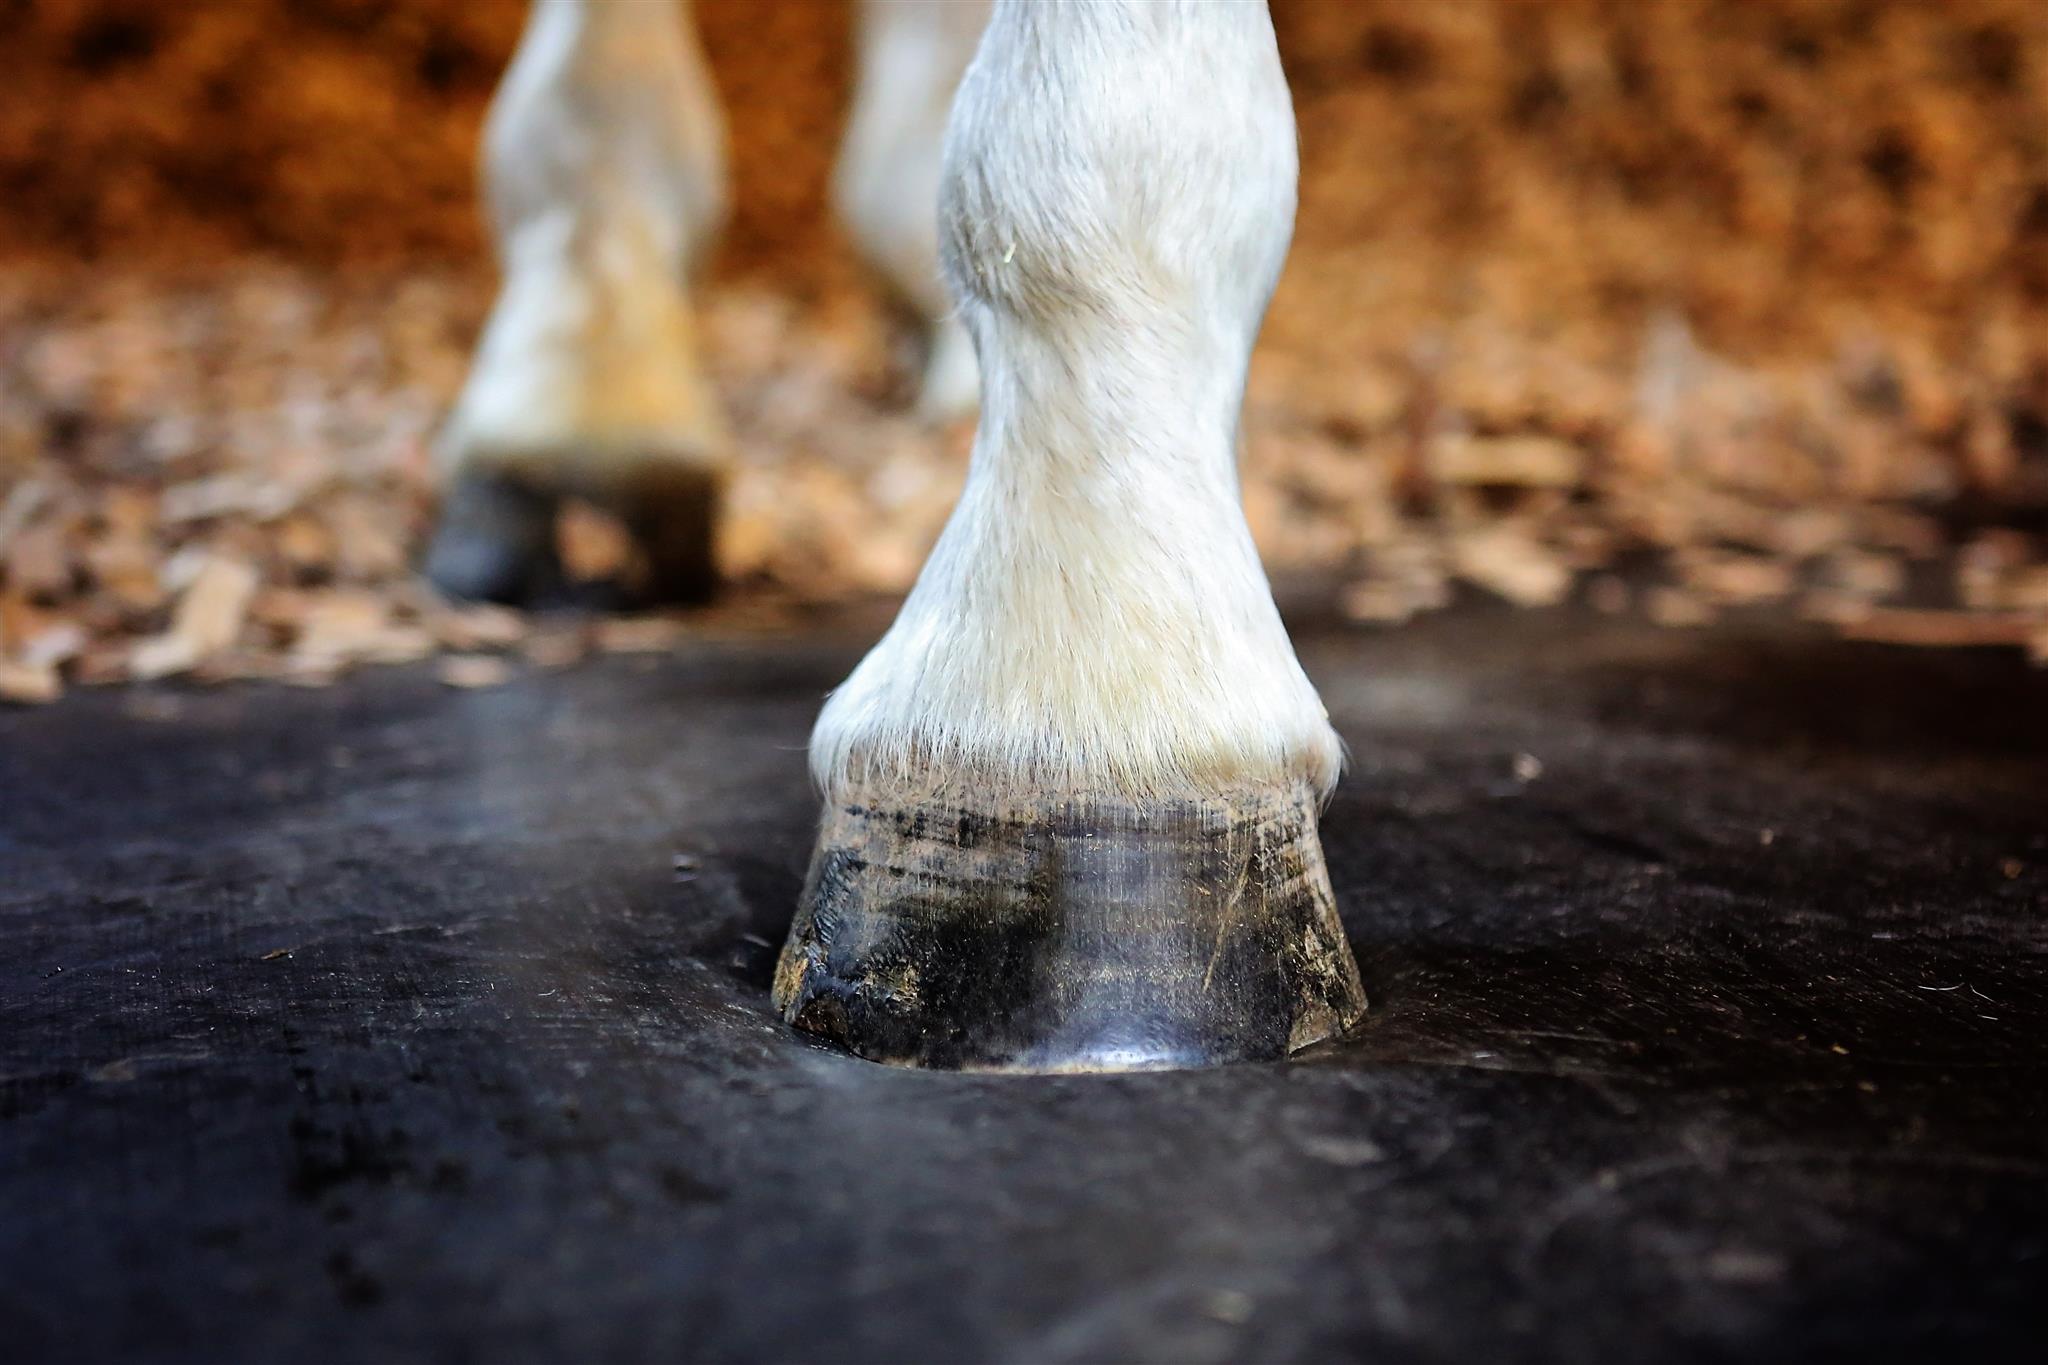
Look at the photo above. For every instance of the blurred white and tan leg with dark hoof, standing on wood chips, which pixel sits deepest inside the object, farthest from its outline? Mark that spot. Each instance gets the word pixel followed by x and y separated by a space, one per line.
pixel 605 179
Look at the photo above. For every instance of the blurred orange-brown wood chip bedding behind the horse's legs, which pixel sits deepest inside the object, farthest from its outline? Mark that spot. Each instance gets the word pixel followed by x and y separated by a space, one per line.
pixel 1680 306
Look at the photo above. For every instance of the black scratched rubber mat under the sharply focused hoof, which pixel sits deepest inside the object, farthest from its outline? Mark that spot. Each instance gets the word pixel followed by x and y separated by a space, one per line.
pixel 380 1024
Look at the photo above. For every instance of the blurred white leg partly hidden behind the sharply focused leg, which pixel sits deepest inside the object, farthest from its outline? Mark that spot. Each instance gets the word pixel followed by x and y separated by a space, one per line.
pixel 910 60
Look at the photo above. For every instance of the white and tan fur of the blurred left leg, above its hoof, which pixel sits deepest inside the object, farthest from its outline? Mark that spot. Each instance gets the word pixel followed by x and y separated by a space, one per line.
pixel 605 179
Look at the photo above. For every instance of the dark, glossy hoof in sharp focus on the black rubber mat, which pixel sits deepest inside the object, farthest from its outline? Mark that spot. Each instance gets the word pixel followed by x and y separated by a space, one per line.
pixel 1070 936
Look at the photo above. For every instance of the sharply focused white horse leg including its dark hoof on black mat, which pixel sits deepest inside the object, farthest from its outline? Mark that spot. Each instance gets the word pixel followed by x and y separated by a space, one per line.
pixel 1072 795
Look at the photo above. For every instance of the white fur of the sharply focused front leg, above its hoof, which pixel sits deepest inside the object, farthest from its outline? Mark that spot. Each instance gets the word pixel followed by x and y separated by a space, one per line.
pixel 1117 202
